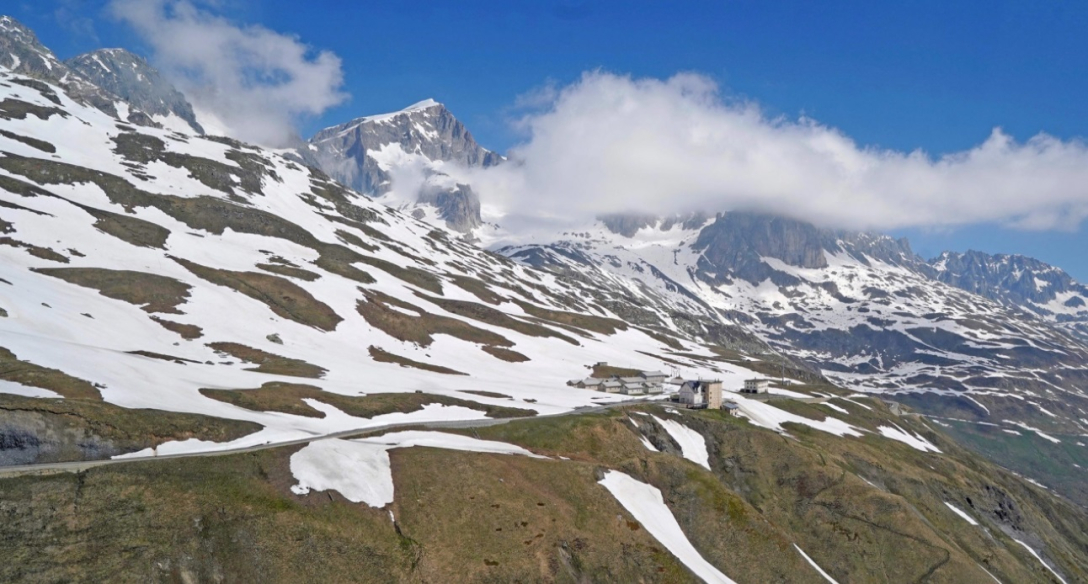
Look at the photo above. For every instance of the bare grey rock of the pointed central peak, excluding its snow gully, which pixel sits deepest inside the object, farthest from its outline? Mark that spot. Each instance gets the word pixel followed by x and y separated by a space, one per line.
pixel 350 154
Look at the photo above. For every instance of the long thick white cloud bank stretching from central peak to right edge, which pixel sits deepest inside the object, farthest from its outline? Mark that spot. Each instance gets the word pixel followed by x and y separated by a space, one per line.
pixel 614 144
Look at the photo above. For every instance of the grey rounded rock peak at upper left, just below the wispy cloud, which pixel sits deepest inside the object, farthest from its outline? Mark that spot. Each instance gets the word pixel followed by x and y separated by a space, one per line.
pixel 131 79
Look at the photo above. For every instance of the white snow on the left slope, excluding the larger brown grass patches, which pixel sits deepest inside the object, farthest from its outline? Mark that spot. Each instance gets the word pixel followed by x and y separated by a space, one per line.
pixel 75 329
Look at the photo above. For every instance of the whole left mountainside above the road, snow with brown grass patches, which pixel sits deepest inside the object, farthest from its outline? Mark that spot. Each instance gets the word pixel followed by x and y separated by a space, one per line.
pixel 140 254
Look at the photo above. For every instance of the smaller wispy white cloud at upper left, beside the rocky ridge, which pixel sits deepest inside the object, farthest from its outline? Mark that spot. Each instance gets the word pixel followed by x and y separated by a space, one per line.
pixel 257 83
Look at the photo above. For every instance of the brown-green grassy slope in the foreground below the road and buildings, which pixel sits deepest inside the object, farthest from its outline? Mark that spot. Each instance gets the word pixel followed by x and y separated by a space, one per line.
pixel 867 511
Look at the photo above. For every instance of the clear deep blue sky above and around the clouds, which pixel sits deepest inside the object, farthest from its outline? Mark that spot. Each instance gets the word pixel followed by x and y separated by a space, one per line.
pixel 900 76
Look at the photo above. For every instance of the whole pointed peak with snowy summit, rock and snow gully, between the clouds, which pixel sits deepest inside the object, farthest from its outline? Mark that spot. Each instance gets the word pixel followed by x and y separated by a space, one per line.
pixel 416 144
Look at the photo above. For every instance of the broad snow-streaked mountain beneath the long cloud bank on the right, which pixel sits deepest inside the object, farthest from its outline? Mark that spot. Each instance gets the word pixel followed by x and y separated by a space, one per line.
pixel 863 308
